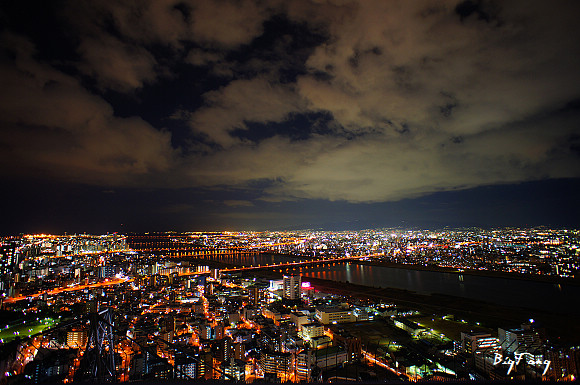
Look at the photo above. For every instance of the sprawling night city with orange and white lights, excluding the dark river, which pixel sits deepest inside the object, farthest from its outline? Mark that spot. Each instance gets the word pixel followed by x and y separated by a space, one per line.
pixel 248 306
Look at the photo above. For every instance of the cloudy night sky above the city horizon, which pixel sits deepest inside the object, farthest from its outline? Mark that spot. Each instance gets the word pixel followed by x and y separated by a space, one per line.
pixel 186 115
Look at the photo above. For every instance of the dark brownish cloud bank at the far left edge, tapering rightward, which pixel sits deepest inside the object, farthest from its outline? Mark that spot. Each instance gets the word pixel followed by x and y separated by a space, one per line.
pixel 52 125
